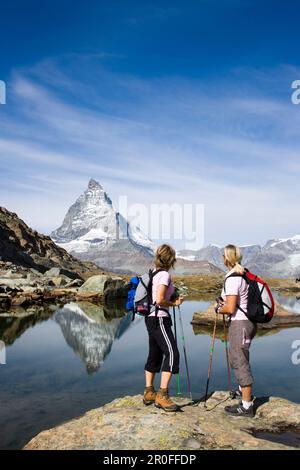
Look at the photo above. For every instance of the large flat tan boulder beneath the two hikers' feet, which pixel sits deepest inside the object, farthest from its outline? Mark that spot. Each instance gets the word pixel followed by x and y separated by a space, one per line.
pixel 126 424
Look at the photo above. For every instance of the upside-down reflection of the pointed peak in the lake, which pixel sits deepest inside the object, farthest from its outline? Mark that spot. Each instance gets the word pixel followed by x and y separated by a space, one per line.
pixel 89 332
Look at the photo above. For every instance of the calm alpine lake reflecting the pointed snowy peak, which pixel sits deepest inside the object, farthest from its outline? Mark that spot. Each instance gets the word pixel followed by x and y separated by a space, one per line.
pixel 68 359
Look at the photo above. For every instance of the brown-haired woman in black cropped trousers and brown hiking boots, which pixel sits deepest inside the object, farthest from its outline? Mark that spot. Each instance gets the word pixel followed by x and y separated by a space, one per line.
pixel 163 352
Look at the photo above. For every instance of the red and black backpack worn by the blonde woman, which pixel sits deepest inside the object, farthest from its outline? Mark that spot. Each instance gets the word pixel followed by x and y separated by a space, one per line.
pixel 261 305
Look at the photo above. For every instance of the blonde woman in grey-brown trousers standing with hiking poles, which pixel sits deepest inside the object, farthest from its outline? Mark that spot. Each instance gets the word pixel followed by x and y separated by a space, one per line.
pixel 241 329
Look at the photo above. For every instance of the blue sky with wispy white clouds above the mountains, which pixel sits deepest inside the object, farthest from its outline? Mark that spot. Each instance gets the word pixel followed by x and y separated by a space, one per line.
pixel 165 101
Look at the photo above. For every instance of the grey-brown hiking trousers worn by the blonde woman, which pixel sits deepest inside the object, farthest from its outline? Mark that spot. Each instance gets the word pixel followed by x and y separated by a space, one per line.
pixel 241 333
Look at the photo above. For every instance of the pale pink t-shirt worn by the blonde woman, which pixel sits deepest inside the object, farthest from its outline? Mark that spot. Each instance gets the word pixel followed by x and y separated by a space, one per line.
pixel 236 285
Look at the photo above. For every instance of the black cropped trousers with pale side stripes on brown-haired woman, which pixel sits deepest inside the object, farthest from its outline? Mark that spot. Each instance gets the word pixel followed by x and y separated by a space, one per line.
pixel 163 351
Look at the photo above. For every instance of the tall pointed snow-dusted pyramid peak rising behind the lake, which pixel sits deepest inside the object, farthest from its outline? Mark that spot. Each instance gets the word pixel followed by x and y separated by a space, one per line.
pixel 94 231
